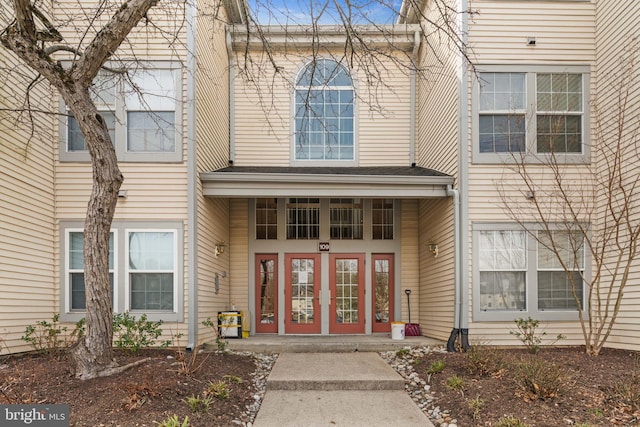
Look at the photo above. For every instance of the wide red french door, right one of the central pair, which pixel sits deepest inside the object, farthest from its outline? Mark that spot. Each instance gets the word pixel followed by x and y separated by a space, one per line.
pixel 346 285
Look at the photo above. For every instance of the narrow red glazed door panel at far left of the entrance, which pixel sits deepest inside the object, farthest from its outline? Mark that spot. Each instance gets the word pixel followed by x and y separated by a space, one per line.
pixel 266 293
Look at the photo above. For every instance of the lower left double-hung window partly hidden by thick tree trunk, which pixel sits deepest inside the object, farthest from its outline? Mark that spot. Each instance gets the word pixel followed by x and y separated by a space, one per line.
pixel 145 273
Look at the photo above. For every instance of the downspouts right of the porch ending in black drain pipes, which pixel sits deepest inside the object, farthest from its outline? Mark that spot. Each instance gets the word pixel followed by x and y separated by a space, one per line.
pixel 461 312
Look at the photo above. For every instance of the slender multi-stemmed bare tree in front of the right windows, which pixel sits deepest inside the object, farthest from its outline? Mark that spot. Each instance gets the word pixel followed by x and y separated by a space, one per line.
pixel 587 211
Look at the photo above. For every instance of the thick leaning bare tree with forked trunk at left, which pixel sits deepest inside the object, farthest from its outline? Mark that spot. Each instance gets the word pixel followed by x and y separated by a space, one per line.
pixel 33 38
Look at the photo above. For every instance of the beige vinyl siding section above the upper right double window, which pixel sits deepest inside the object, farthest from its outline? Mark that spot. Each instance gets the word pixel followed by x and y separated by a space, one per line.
pixel 564 31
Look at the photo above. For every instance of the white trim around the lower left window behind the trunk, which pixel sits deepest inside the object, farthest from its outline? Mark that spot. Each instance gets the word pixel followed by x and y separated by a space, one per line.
pixel 120 280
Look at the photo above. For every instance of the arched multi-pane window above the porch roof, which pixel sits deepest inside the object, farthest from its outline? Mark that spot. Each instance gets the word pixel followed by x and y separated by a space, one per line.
pixel 324 113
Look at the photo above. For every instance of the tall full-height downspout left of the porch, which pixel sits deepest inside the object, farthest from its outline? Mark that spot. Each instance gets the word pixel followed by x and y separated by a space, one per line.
pixel 192 208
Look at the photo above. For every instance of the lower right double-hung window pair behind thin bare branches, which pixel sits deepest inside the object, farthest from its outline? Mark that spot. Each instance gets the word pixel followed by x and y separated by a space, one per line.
pixel 520 273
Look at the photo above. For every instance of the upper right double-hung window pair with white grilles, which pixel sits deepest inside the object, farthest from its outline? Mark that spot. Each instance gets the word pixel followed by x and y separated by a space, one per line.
pixel 527 113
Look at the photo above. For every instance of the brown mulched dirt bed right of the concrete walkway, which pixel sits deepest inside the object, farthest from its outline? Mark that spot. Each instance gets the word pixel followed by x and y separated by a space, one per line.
pixel 567 387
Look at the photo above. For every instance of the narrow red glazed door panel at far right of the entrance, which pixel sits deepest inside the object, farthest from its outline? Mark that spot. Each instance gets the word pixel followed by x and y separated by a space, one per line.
pixel 382 277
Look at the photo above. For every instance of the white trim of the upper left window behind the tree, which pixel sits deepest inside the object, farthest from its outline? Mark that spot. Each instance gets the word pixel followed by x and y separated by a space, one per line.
pixel 120 111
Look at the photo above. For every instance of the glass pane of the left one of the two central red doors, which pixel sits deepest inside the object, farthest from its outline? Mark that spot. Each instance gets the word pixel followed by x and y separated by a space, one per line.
pixel 302 290
